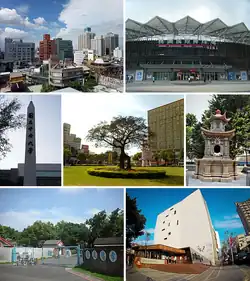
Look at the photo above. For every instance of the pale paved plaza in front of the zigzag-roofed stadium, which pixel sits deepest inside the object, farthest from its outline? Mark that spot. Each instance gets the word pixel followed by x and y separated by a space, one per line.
pixel 184 86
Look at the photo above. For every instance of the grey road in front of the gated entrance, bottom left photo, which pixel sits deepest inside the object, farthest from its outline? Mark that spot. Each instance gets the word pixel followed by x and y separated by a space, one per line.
pixel 36 273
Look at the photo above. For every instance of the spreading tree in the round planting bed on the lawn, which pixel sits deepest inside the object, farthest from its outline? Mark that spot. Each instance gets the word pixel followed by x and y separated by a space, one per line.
pixel 122 133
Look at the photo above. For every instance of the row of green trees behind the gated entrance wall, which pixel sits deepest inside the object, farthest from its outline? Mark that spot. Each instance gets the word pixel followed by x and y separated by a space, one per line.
pixel 100 225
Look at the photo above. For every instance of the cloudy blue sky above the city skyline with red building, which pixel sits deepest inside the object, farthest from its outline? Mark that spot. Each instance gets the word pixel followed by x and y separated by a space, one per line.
pixel 66 19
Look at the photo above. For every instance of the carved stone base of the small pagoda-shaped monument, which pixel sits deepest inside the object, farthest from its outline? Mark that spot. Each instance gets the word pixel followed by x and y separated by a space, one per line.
pixel 216 170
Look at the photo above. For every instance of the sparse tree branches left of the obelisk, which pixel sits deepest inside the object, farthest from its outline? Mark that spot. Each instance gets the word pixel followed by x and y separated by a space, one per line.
pixel 9 120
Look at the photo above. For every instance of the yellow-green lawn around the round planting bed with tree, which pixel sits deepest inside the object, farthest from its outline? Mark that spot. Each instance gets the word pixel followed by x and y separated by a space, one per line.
pixel 78 176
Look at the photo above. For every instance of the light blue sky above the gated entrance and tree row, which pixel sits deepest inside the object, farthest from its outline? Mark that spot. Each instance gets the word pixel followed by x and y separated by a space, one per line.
pixel 21 207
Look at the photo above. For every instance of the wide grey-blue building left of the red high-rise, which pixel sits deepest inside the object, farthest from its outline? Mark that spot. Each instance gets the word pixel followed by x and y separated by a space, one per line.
pixel 19 51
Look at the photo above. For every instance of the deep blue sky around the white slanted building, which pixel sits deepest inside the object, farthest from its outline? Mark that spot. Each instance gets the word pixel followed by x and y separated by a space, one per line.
pixel 220 202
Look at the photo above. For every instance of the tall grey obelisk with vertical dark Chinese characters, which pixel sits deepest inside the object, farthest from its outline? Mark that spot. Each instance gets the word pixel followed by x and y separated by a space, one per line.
pixel 30 148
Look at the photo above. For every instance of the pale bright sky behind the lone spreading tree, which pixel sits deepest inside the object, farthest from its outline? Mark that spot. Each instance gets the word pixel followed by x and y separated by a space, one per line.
pixel 85 111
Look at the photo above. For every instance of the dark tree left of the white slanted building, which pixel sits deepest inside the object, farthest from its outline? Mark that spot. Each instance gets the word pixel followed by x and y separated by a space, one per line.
pixel 135 220
